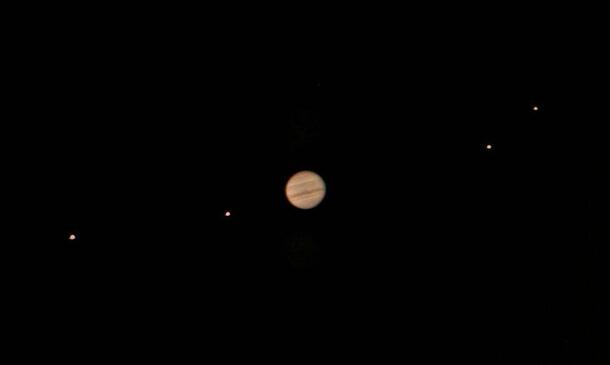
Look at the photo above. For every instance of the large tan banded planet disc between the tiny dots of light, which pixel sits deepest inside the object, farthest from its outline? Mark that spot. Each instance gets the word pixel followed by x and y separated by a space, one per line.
pixel 305 190
